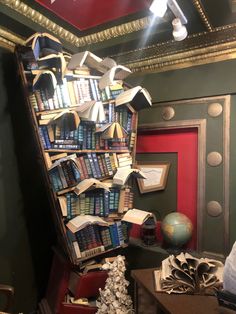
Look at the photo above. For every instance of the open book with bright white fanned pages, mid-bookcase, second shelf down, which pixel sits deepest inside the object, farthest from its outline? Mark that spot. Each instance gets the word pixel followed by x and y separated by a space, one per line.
pixel 92 111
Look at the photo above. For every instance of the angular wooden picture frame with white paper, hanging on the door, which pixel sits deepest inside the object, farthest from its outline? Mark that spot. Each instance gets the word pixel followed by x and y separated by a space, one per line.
pixel 156 173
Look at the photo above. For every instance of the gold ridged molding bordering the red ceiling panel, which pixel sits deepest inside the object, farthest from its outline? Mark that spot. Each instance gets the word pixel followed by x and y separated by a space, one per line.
pixel 43 21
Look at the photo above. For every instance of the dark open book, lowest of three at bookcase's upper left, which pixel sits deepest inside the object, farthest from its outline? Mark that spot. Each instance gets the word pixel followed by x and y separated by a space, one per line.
pixel 45 80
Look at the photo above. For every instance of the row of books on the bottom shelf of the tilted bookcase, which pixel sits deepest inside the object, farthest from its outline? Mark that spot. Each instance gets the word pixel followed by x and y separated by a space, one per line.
pixel 96 239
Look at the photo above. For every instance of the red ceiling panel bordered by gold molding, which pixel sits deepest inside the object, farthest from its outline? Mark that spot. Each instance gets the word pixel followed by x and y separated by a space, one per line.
pixel 85 14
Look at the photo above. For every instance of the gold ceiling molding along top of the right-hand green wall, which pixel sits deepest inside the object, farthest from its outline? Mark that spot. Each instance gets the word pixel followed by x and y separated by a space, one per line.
pixel 203 48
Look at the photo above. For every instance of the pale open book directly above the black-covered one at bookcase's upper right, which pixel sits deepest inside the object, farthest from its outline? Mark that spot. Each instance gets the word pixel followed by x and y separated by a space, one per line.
pixel 118 72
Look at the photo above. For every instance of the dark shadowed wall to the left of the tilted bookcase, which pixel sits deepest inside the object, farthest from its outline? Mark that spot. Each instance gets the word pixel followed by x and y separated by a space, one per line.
pixel 26 230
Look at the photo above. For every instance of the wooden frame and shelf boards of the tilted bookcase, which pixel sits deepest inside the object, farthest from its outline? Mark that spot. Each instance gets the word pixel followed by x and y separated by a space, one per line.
pixel 44 156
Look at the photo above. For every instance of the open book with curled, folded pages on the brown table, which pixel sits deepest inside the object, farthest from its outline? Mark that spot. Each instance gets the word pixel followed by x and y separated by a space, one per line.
pixel 187 274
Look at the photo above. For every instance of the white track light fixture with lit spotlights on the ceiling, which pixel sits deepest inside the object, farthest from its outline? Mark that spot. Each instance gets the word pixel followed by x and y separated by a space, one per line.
pixel 159 8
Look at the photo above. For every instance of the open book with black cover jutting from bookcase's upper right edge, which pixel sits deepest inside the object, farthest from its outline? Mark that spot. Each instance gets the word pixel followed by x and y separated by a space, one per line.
pixel 137 97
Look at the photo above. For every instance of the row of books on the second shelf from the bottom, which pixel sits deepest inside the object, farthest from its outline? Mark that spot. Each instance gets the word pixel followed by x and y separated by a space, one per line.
pixel 97 202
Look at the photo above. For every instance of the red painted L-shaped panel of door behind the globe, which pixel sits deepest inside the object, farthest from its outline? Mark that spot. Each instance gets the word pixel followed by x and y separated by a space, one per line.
pixel 184 142
